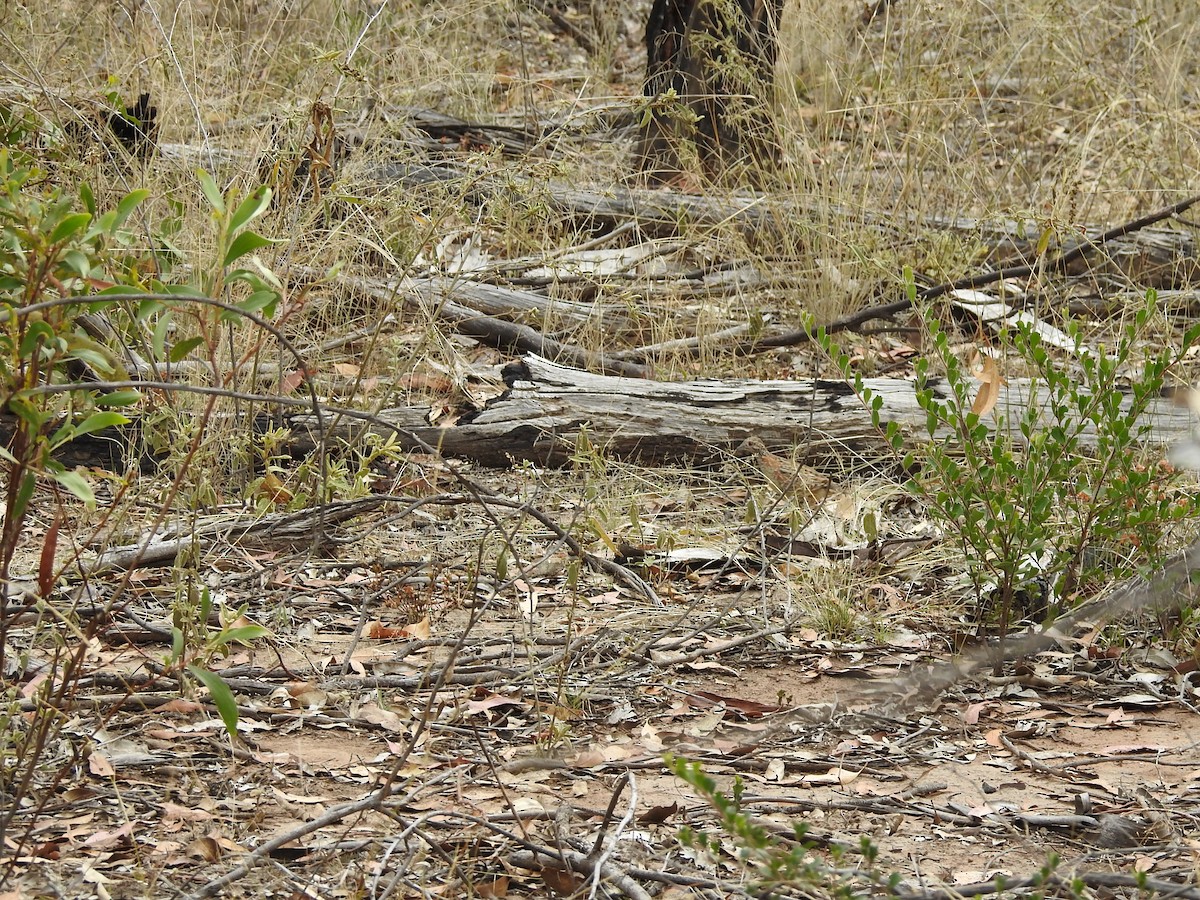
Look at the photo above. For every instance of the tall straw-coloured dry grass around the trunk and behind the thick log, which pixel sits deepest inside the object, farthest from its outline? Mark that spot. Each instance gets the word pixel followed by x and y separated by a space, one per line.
pixel 1061 113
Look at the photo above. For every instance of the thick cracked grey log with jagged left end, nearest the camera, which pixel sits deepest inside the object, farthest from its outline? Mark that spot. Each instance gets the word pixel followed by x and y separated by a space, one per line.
pixel 550 407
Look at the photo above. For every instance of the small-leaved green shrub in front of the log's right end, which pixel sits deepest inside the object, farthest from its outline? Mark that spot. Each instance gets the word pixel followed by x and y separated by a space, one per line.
pixel 1055 491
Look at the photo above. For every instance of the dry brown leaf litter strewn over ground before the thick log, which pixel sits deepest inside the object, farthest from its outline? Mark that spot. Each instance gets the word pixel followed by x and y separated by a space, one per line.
pixel 419 724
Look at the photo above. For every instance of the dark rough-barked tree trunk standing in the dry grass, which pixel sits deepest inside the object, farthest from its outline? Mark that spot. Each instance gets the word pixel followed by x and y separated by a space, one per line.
pixel 719 59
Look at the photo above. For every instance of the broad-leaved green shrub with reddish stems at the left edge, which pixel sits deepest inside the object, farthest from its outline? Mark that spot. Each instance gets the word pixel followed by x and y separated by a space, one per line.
pixel 62 260
